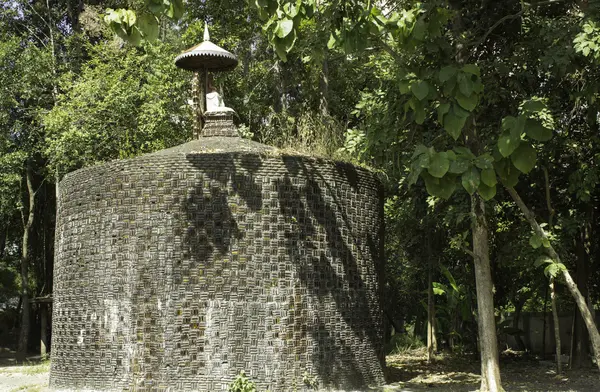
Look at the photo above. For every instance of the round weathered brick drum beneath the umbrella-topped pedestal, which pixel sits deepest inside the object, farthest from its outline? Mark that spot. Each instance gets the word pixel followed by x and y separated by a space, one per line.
pixel 176 270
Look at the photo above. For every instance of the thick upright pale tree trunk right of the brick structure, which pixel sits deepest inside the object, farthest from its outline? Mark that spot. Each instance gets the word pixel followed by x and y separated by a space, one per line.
pixel 490 368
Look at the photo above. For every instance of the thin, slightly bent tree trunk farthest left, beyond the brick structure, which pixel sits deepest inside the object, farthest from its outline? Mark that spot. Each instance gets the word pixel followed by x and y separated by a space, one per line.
pixel 25 261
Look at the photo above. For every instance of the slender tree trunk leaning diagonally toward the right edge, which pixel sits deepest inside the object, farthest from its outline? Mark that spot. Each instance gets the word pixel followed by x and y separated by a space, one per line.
pixel 573 289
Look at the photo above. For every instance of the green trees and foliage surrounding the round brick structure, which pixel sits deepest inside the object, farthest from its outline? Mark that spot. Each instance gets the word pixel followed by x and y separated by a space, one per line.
pixel 480 117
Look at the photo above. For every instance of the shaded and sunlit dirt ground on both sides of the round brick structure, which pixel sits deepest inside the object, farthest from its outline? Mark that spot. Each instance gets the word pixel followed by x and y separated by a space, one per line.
pixel 408 372
